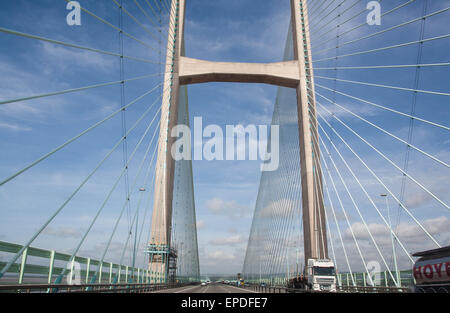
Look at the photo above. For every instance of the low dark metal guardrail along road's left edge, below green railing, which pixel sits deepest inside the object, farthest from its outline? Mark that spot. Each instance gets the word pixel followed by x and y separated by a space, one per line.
pixel 86 288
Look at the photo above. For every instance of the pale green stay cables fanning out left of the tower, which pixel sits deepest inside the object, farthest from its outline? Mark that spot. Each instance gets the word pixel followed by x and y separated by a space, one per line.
pixel 137 168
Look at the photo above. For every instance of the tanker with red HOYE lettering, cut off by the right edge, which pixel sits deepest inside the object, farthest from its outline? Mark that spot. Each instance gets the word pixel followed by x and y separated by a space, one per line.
pixel 432 271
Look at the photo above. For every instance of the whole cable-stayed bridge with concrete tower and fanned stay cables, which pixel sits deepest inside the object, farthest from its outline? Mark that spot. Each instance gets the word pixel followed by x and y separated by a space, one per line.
pixel 362 173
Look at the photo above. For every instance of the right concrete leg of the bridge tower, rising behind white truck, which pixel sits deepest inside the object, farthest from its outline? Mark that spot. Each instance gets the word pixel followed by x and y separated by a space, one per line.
pixel 314 227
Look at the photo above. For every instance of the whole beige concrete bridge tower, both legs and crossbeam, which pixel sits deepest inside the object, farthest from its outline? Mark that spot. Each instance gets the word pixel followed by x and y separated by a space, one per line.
pixel 298 74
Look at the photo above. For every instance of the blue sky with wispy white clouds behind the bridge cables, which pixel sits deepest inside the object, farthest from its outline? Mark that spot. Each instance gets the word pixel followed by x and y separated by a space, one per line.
pixel 225 191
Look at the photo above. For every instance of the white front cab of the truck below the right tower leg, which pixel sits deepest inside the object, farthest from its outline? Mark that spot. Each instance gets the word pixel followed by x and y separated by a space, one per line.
pixel 321 275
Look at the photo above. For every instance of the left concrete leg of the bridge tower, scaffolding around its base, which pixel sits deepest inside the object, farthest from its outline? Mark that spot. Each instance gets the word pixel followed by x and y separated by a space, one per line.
pixel 159 247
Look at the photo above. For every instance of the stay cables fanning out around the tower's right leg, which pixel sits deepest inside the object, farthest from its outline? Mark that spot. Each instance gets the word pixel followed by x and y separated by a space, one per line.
pixel 372 85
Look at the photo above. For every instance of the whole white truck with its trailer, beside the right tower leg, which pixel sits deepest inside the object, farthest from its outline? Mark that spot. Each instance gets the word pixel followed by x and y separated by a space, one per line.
pixel 320 276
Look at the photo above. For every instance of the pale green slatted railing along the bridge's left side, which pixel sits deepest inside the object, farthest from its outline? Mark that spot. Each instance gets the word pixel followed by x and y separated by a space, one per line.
pixel 44 268
